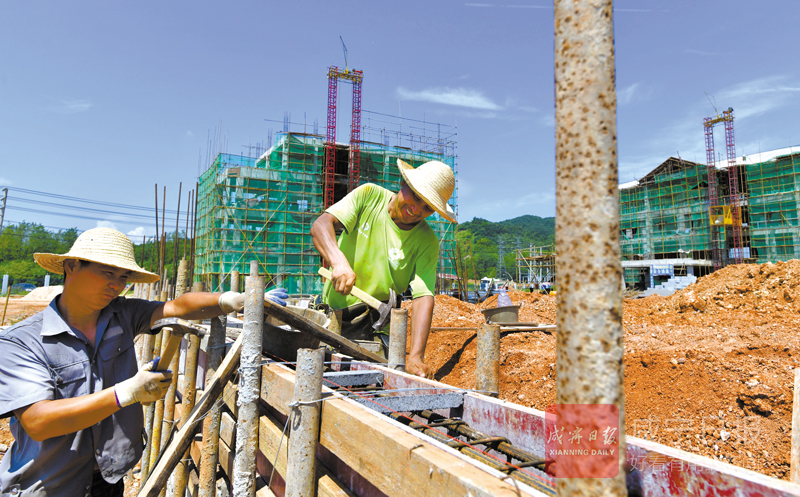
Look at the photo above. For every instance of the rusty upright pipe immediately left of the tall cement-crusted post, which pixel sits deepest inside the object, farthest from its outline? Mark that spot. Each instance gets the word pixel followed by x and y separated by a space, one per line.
pixel 211 423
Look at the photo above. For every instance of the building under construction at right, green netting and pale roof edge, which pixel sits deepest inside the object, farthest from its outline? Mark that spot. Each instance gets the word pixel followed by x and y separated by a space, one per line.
pixel 670 228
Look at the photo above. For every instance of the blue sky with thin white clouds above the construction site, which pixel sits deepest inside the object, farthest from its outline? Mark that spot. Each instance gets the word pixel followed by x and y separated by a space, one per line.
pixel 101 100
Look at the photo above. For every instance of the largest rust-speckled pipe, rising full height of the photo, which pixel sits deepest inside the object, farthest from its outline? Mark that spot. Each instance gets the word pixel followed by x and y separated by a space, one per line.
pixel 589 336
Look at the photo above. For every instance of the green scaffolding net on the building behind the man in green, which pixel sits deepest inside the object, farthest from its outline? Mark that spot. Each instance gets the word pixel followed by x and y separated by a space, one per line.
pixel 262 209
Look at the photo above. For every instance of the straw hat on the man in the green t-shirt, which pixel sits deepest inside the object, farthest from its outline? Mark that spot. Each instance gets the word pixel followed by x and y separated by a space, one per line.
pixel 434 182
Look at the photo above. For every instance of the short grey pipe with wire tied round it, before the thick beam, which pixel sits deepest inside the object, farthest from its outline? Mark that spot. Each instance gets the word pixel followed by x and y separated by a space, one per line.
pixel 304 418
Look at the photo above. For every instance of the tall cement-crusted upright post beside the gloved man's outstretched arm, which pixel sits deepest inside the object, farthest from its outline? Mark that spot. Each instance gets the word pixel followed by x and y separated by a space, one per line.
pixel 244 469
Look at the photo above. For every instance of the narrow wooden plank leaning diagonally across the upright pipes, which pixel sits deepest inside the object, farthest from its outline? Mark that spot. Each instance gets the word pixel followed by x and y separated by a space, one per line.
pixel 173 453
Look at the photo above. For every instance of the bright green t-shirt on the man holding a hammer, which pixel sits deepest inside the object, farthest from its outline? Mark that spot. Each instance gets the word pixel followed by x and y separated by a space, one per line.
pixel 382 255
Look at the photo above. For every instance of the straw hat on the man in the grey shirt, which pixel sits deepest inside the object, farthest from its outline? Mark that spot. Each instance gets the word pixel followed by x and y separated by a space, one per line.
pixel 103 245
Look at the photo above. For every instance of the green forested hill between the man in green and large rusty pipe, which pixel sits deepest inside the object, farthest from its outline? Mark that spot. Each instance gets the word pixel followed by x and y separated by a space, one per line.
pixel 482 237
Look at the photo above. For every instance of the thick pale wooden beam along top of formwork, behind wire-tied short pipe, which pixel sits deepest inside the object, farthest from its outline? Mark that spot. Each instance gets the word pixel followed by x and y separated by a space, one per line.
pixel 367 448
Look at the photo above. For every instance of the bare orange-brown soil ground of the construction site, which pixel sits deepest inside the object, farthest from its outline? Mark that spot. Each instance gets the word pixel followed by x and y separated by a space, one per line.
pixel 708 370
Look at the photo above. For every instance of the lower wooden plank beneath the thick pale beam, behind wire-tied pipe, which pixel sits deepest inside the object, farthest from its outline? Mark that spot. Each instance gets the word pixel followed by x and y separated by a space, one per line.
pixel 270 436
